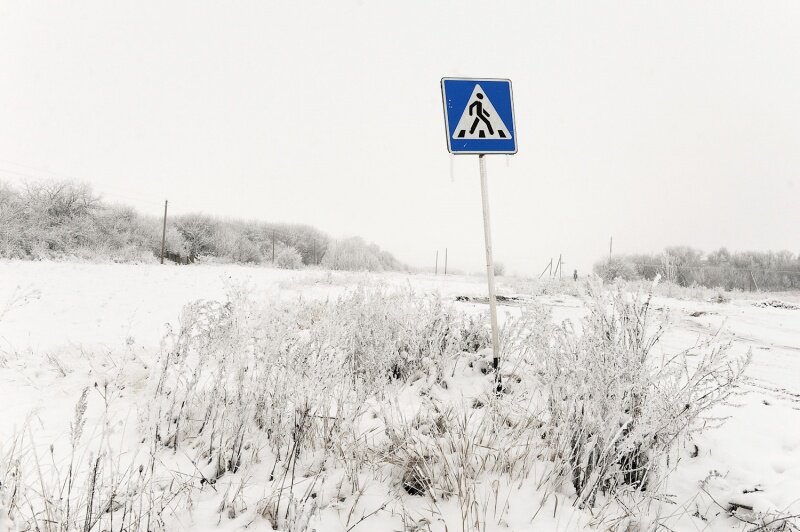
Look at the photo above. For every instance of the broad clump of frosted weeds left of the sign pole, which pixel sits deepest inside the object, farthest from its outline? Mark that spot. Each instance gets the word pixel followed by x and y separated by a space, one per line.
pixel 239 383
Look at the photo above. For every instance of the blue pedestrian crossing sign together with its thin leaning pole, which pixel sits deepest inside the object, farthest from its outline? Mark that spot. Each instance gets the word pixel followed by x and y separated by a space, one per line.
pixel 479 119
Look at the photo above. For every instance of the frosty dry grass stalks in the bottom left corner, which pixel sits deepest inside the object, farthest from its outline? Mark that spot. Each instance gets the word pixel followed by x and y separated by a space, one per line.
pixel 90 487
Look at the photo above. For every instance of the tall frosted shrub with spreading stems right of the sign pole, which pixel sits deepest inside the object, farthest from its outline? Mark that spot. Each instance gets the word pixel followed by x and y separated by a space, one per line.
pixel 614 410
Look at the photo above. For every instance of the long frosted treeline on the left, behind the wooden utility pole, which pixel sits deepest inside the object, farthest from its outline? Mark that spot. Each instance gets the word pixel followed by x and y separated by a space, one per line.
pixel 61 220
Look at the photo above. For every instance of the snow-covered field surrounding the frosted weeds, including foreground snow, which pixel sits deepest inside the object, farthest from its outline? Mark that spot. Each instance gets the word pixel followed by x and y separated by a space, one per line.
pixel 66 328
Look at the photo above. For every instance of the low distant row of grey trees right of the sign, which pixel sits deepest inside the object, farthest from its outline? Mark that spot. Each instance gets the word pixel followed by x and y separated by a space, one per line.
pixel 686 266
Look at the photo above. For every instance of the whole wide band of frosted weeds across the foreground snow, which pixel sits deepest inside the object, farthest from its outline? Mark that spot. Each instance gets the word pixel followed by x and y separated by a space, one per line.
pixel 283 413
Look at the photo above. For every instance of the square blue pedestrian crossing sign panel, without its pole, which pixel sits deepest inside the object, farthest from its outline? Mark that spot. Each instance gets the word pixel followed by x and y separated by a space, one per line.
pixel 479 115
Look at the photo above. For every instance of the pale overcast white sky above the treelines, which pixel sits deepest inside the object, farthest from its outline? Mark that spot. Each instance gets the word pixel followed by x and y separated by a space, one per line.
pixel 659 123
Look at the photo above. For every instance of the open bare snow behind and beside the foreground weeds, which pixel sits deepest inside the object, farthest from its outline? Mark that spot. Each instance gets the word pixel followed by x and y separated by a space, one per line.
pixel 65 327
